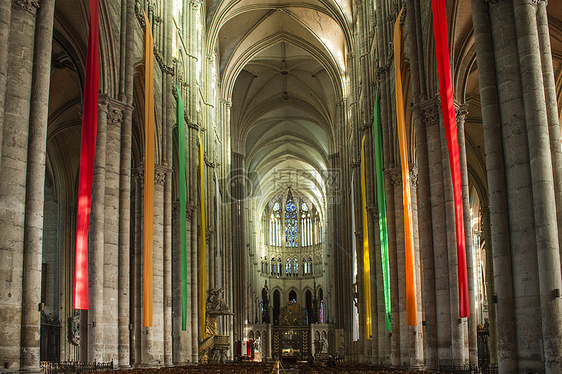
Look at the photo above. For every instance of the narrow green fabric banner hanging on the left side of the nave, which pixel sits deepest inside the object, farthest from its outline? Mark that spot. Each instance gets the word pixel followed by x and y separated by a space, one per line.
pixel 183 215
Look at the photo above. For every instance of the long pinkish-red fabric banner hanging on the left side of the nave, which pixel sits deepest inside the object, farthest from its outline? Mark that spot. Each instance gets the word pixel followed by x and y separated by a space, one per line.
pixel 87 156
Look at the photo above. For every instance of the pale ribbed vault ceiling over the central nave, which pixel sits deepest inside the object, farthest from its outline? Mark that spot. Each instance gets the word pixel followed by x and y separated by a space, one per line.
pixel 283 68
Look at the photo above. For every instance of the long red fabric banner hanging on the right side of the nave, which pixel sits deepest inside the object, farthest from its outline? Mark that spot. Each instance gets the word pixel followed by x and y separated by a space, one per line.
pixel 449 118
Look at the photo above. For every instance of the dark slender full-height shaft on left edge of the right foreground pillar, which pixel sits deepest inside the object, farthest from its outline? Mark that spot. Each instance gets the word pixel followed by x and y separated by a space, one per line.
pixel 496 178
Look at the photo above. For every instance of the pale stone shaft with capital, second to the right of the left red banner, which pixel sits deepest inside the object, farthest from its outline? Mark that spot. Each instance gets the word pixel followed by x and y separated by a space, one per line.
pixel 111 231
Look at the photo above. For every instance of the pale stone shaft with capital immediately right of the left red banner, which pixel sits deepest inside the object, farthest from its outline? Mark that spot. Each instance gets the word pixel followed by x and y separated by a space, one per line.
pixel 96 247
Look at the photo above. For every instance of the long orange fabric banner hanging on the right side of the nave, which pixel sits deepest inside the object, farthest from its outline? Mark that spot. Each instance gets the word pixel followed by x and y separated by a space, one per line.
pixel 411 302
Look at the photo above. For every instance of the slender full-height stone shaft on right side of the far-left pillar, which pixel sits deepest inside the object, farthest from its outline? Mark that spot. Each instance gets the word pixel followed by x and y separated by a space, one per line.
pixel 33 239
